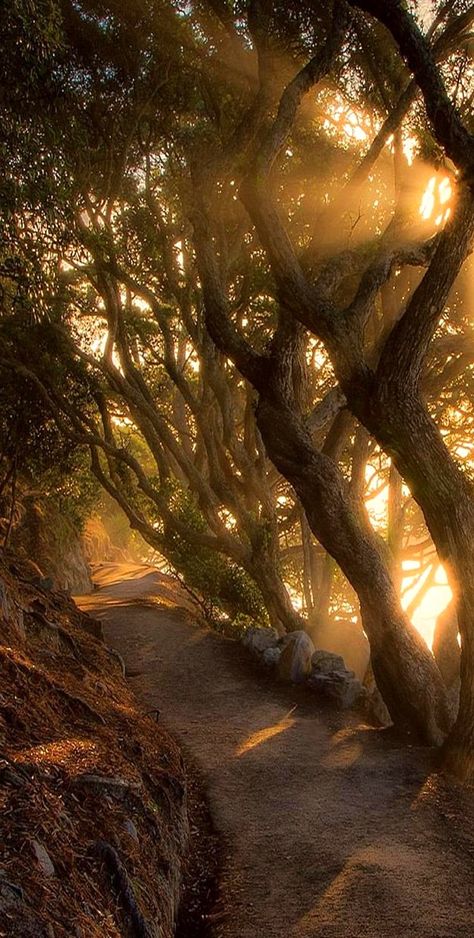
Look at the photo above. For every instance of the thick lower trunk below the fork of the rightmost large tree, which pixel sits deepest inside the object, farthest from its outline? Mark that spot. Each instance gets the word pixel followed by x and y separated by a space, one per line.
pixel 398 418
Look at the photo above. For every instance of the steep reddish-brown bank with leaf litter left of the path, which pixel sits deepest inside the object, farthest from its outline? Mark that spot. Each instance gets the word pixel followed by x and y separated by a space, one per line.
pixel 94 822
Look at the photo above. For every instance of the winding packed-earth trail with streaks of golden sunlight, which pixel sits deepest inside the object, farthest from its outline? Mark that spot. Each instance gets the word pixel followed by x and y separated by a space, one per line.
pixel 331 828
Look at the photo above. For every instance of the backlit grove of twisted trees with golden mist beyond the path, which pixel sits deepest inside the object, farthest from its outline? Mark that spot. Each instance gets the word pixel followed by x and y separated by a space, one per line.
pixel 235 275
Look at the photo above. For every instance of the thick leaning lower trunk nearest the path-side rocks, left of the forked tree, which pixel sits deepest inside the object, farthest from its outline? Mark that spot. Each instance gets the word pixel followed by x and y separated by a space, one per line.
pixel 405 671
